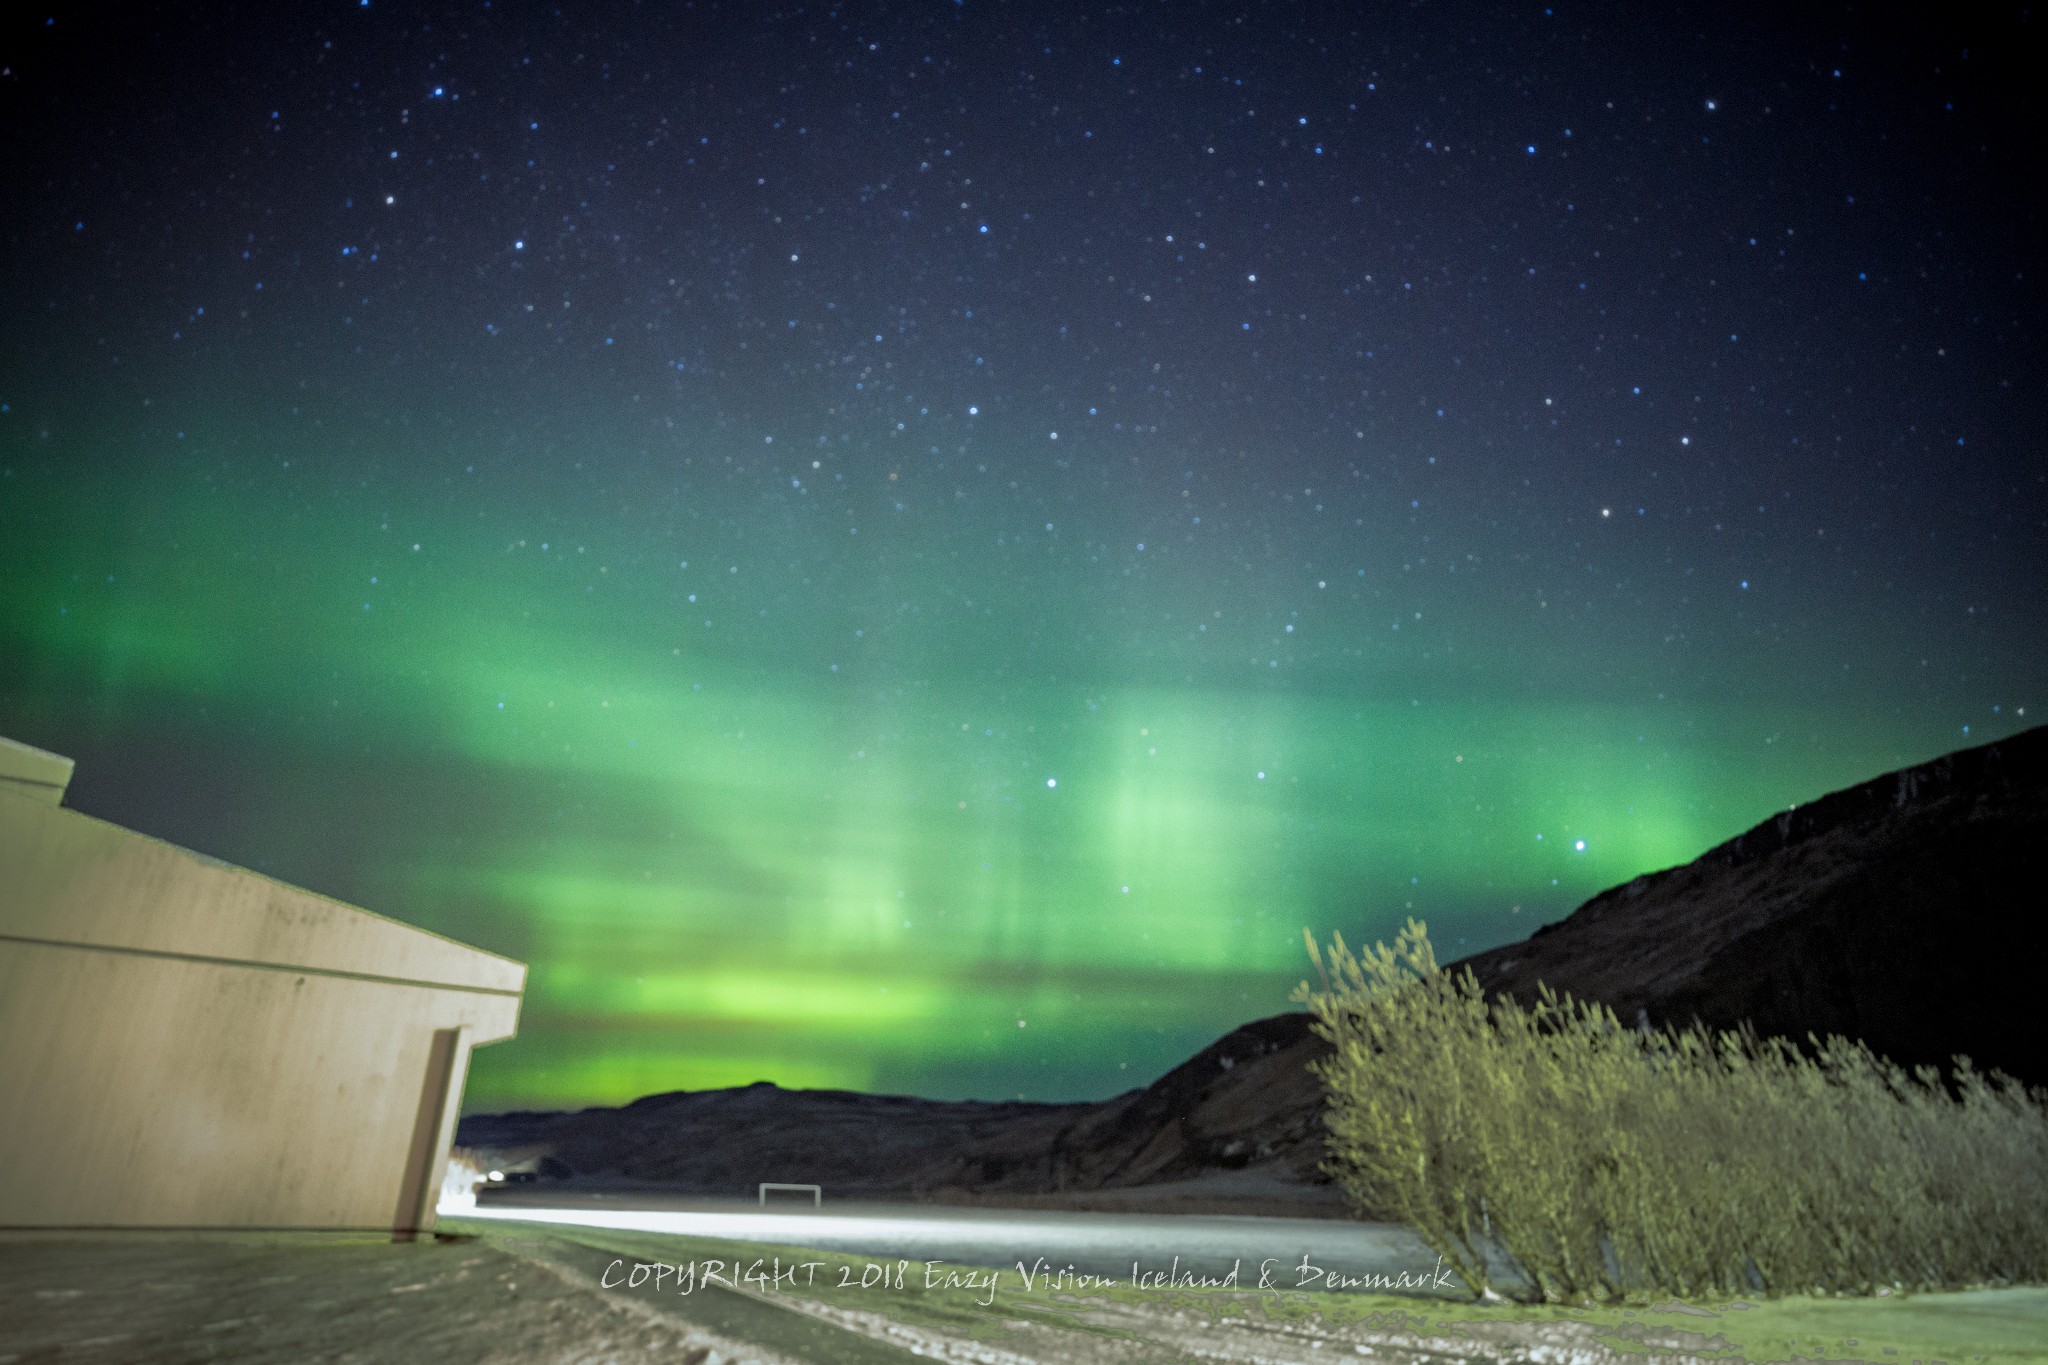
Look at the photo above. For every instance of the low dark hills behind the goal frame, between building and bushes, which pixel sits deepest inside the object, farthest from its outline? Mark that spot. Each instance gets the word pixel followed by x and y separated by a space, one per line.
pixel 1244 1110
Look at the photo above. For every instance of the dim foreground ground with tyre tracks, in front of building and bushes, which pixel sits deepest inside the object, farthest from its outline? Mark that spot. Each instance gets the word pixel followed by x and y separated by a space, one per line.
pixel 519 1294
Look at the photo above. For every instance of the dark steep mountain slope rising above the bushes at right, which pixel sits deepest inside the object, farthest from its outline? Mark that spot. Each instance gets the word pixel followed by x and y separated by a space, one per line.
pixel 1891 912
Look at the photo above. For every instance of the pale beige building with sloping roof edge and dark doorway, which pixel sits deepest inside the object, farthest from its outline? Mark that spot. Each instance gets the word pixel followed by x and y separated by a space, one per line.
pixel 187 1045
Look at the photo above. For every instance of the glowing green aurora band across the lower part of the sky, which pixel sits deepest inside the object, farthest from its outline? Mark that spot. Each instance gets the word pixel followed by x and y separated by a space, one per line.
pixel 738 838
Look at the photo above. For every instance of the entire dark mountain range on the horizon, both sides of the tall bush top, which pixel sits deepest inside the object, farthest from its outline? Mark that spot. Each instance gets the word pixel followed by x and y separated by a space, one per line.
pixel 1846 916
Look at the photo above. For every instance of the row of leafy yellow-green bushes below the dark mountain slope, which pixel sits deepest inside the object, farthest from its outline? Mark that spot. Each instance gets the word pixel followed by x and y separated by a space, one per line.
pixel 1627 1163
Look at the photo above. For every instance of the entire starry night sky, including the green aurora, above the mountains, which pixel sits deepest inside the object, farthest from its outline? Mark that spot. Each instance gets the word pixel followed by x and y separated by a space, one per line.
pixel 916 547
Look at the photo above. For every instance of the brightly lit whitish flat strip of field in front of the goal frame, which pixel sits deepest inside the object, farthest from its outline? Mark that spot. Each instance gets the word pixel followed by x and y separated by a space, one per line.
pixel 1289 1253
